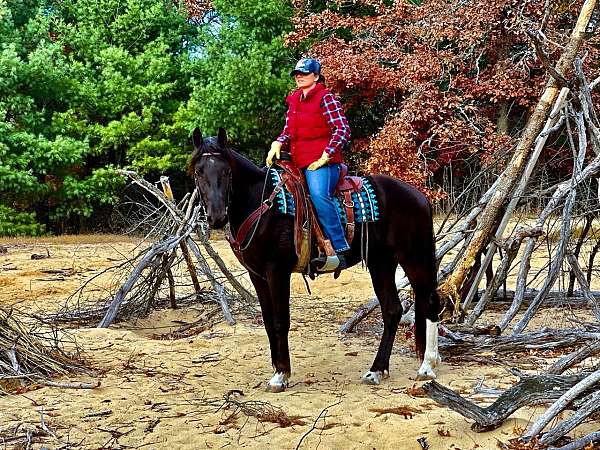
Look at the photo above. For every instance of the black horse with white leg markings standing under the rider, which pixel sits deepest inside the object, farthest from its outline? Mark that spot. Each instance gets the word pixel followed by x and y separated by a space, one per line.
pixel 232 188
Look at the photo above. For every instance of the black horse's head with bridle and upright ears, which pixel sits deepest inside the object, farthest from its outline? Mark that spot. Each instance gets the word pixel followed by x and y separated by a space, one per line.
pixel 210 166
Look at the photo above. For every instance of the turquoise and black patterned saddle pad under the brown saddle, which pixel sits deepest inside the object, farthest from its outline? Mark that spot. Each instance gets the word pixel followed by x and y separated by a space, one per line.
pixel 366 207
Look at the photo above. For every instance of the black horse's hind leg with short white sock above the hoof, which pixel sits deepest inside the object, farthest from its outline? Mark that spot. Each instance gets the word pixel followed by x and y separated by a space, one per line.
pixel 383 271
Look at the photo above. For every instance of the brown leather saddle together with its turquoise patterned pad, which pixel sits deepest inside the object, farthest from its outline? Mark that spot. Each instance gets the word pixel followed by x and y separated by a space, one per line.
pixel 354 197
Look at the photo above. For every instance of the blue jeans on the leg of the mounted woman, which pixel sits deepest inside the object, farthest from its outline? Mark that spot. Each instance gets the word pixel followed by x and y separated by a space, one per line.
pixel 321 184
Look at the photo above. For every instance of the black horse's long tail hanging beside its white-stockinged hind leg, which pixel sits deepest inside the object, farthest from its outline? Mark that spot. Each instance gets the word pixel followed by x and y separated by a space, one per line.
pixel 427 302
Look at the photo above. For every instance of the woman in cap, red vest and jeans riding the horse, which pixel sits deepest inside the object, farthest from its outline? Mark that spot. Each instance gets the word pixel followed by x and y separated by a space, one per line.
pixel 315 131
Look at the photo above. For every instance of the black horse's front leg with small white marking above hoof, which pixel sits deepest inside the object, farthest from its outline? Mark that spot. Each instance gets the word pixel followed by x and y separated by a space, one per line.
pixel 279 288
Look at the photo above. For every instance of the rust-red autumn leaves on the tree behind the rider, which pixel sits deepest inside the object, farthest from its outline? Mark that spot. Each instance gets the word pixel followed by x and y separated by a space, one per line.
pixel 436 84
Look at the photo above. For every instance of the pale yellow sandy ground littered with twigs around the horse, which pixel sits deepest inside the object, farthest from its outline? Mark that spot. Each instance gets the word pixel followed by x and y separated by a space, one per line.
pixel 161 393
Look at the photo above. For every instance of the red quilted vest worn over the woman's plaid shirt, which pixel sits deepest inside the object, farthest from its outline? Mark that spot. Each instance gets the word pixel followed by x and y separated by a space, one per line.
pixel 309 131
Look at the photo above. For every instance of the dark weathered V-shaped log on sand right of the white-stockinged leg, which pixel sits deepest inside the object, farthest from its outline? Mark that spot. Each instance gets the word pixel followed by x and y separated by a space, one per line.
pixel 530 390
